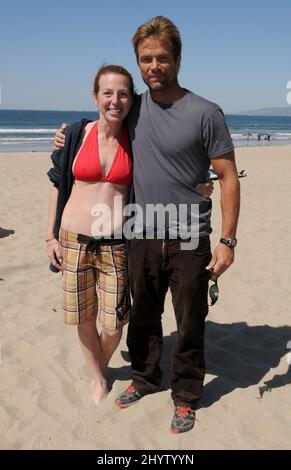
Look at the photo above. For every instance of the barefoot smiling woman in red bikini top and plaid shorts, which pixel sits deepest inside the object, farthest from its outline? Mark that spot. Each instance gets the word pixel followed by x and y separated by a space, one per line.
pixel 90 173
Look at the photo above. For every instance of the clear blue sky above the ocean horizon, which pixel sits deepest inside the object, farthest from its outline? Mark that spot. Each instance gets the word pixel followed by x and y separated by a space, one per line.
pixel 234 53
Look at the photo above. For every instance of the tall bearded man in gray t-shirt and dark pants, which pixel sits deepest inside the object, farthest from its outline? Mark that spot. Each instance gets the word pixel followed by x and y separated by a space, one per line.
pixel 174 134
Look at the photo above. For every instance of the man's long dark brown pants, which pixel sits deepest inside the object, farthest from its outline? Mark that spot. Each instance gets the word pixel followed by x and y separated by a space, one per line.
pixel 155 265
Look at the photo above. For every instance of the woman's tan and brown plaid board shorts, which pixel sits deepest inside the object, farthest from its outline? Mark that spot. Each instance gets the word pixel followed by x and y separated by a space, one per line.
pixel 94 283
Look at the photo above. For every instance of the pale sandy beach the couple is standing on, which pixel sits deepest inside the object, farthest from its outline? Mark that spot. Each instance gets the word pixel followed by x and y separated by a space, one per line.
pixel 44 384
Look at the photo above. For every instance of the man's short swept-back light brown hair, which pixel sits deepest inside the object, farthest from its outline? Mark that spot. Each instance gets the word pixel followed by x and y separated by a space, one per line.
pixel 161 28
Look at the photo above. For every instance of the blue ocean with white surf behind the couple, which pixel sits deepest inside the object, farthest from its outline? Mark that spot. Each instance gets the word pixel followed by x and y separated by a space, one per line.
pixel 34 130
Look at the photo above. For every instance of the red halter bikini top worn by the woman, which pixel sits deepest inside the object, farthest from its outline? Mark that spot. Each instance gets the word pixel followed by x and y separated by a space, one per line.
pixel 87 165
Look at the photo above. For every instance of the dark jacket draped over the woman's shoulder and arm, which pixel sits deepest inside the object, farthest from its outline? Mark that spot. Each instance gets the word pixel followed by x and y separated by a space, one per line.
pixel 61 174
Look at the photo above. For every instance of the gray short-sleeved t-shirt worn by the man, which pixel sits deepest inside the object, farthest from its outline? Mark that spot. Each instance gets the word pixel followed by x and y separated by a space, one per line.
pixel 172 147
